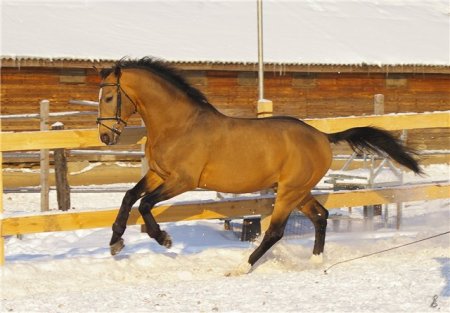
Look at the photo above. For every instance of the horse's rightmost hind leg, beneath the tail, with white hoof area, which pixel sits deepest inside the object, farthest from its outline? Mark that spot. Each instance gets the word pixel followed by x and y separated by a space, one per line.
pixel 318 216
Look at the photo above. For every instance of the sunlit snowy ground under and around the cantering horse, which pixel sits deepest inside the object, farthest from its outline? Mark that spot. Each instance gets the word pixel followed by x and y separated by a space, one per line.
pixel 73 271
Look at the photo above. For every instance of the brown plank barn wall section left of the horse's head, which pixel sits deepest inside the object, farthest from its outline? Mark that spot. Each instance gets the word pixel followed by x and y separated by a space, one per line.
pixel 23 88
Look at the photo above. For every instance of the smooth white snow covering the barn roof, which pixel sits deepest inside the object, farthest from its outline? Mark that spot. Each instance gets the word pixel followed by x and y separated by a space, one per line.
pixel 375 32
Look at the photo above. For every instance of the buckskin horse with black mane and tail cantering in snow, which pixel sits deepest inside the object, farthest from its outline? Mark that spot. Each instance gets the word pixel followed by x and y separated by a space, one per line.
pixel 190 144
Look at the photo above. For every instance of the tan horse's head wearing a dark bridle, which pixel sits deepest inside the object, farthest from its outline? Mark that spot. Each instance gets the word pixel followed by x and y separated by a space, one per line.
pixel 115 106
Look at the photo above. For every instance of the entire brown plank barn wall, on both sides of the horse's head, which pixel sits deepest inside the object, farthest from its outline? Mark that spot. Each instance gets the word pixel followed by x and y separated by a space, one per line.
pixel 234 92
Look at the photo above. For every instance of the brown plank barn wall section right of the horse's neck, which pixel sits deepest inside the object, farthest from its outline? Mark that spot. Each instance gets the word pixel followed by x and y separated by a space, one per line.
pixel 327 94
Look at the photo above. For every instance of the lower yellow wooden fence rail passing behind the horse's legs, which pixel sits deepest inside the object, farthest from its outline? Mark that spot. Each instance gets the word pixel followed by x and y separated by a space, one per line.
pixel 236 207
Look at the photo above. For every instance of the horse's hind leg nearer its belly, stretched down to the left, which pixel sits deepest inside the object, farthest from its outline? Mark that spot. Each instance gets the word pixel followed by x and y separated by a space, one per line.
pixel 285 202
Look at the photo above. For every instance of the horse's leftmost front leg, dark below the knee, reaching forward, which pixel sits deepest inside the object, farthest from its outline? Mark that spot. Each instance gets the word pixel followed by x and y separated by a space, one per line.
pixel 147 184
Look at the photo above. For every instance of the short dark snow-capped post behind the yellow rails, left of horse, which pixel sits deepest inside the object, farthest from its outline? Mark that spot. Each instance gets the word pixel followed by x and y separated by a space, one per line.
pixel 62 185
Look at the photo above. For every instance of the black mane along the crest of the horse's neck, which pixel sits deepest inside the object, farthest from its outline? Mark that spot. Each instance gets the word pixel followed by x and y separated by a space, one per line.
pixel 163 70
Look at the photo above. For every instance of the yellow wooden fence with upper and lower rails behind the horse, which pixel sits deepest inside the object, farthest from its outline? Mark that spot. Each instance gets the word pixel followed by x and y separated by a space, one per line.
pixel 206 210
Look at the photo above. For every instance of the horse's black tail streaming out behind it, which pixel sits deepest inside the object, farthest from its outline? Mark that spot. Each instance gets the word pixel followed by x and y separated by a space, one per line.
pixel 378 141
